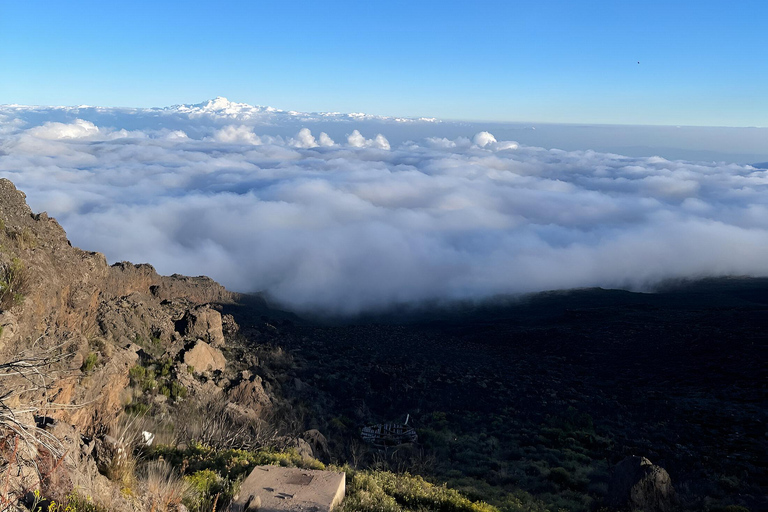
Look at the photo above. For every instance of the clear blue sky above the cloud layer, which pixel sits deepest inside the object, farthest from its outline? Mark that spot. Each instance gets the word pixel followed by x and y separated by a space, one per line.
pixel 701 62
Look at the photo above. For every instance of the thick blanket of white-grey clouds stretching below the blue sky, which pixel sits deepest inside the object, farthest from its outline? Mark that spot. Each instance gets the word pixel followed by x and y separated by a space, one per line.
pixel 265 200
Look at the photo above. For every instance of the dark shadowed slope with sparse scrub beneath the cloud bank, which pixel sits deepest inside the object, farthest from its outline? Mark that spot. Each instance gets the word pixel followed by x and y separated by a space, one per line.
pixel 531 402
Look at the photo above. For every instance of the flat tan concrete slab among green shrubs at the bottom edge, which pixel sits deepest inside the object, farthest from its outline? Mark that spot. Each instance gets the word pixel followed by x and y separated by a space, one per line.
pixel 279 489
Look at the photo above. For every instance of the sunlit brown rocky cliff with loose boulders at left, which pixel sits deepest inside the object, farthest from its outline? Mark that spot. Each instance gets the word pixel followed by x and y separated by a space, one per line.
pixel 81 340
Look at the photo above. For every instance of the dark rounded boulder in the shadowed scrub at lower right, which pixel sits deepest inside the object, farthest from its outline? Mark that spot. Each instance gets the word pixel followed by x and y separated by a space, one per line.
pixel 639 485
